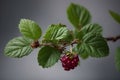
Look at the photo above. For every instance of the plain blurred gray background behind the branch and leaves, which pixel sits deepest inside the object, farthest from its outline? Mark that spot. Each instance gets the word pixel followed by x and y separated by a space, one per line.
pixel 46 12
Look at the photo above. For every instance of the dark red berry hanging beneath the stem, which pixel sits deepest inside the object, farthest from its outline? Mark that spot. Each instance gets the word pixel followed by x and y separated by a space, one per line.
pixel 69 61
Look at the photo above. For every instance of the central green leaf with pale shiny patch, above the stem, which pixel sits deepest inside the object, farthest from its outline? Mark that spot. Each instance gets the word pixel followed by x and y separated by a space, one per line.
pixel 56 32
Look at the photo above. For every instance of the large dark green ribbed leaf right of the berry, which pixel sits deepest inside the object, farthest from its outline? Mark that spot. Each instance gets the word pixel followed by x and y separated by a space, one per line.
pixel 94 45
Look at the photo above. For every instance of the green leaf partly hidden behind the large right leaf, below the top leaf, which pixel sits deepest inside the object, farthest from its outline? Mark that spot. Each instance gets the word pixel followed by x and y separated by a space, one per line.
pixel 89 28
